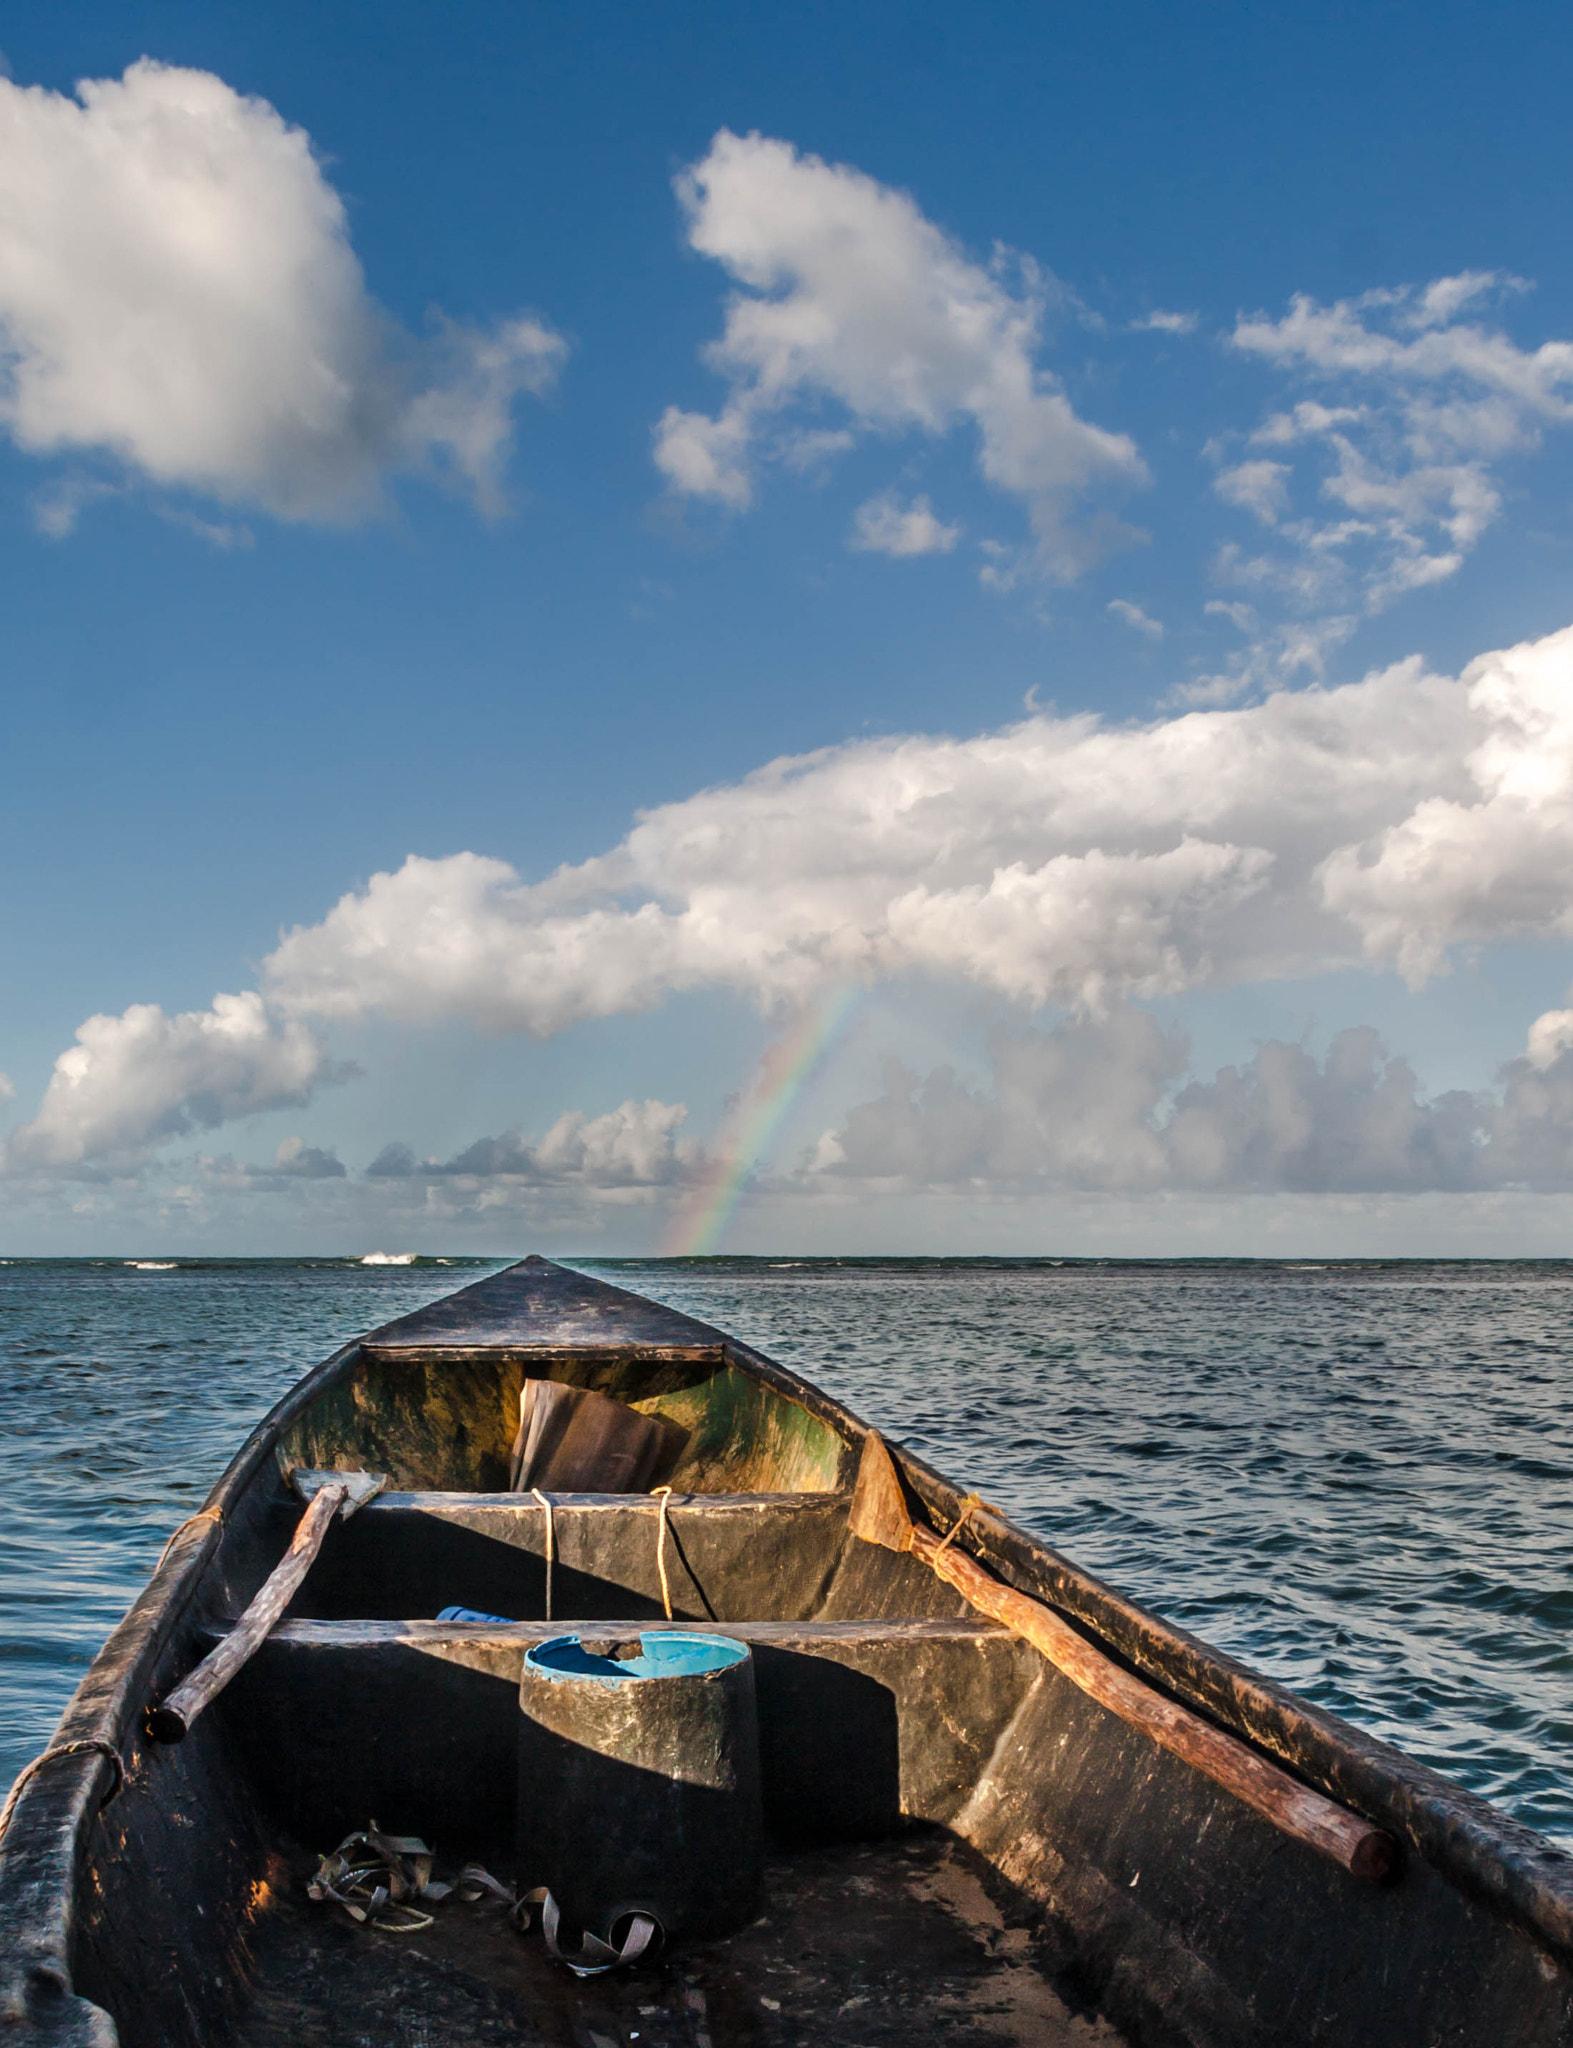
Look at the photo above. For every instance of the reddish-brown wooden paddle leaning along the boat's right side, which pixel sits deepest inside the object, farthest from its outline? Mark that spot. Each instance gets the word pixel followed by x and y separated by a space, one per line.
pixel 880 1514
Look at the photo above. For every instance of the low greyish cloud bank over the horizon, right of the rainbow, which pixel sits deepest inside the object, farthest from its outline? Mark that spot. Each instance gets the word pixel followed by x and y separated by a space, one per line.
pixel 1107 1107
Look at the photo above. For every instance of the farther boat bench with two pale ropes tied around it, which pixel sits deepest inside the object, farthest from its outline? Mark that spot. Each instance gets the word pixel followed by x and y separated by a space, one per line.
pixel 728 1558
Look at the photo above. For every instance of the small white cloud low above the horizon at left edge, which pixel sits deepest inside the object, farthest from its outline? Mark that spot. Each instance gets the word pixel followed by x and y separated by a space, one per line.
pixel 142 1078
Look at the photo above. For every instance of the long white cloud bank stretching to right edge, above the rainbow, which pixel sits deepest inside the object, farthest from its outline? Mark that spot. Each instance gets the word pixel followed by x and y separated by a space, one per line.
pixel 1056 861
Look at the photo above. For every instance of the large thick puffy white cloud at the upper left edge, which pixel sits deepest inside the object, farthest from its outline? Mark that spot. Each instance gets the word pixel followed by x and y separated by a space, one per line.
pixel 179 294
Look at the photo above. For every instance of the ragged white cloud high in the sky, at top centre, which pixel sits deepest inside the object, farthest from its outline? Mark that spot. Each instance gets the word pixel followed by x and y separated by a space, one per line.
pixel 851 296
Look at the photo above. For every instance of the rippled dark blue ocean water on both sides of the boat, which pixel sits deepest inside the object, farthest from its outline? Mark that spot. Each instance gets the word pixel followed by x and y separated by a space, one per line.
pixel 1357 1478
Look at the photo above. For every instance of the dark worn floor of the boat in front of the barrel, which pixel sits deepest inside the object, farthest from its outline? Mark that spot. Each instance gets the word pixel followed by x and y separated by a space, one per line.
pixel 908 1943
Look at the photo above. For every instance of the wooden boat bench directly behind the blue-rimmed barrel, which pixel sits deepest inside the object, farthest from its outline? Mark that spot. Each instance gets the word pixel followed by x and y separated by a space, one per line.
pixel 349 1717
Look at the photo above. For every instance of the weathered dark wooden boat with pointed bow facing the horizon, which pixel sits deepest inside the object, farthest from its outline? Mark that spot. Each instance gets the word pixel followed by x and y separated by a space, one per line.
pixel 1005 1803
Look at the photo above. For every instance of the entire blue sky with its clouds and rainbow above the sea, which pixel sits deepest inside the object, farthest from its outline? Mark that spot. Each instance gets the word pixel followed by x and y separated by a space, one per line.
pixel 466 435
